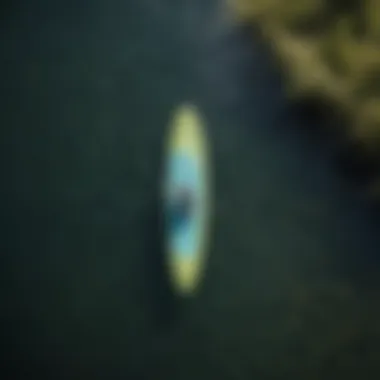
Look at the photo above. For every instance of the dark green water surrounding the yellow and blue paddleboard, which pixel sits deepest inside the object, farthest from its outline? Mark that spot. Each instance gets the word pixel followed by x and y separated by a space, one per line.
pixel 292 287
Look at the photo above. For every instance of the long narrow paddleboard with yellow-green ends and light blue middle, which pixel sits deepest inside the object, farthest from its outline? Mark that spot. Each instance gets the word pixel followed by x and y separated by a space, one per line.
pixel 186 200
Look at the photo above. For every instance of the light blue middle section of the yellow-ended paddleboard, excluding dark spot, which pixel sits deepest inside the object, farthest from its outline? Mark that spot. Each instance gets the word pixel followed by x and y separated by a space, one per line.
pixel 184 236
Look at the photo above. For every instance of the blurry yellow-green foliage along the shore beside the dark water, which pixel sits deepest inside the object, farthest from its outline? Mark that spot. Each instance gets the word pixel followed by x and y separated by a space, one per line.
pixel 328 49
